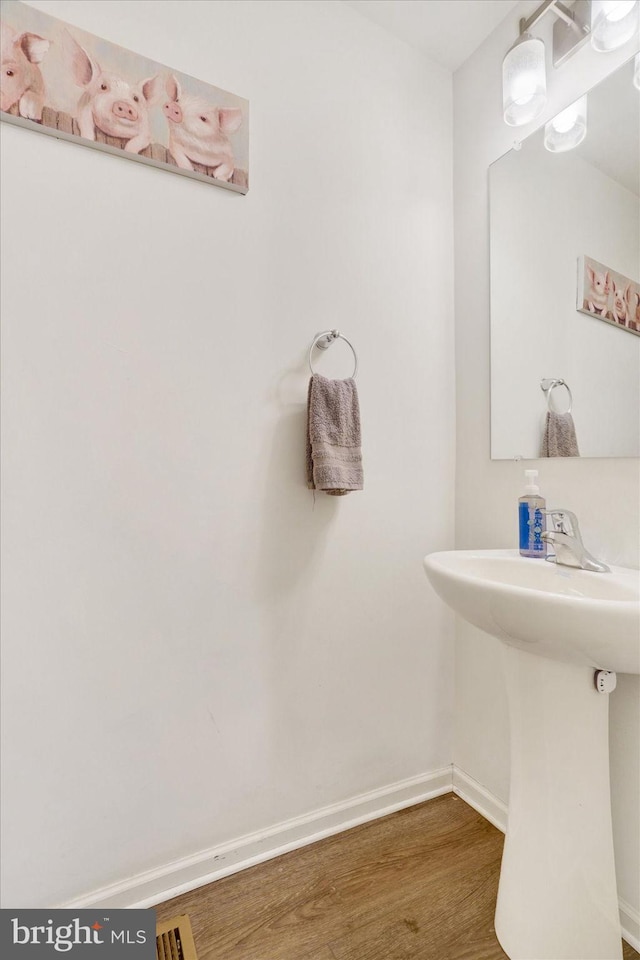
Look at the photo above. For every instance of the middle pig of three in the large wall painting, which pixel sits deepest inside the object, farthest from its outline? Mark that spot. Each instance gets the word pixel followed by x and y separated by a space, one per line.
pixel 110 103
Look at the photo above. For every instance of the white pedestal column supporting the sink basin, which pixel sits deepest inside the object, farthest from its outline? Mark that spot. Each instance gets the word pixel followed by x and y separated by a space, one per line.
pixel 557 898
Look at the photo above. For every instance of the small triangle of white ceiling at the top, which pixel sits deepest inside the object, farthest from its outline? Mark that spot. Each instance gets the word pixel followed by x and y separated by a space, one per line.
pixel 447 30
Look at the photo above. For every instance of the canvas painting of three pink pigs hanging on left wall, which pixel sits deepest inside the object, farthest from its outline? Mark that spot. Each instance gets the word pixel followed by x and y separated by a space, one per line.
pixel 70 84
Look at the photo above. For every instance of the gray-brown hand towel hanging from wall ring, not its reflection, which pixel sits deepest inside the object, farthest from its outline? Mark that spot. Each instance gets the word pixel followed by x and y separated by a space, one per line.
pixel 334 457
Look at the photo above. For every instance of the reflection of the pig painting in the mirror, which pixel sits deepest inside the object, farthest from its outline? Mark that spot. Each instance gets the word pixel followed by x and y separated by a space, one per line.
pixel 608 295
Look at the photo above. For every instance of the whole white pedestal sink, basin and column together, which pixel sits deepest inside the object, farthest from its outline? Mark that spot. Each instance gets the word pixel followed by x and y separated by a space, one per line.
pixel 557 896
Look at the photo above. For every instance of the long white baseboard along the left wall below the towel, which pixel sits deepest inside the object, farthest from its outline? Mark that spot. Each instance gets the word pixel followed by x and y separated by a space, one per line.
pixel 171 879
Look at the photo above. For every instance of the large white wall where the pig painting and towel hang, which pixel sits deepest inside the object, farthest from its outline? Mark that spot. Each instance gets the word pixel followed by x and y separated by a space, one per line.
pixel 193 649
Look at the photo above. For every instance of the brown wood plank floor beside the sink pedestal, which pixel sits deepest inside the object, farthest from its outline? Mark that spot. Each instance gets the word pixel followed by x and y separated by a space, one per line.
pixel 420 884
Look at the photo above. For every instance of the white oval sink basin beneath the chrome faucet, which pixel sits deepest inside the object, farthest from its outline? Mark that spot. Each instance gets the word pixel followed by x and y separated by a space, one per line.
pixel 557 612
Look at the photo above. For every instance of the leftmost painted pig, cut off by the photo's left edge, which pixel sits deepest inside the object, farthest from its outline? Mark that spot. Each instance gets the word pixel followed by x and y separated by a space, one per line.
pixel 21 83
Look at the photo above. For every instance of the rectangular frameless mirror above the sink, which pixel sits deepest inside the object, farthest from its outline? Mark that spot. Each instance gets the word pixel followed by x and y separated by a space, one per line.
pixel 548 212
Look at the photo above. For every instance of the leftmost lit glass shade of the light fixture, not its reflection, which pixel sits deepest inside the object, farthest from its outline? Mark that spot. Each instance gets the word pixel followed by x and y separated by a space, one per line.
pixel 524 81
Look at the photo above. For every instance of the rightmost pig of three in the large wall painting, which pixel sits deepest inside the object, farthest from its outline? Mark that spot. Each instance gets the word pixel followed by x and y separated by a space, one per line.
pixel 199 131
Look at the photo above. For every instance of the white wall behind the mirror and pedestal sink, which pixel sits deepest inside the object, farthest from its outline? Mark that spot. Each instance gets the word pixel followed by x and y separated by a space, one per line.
pixel 603 493
